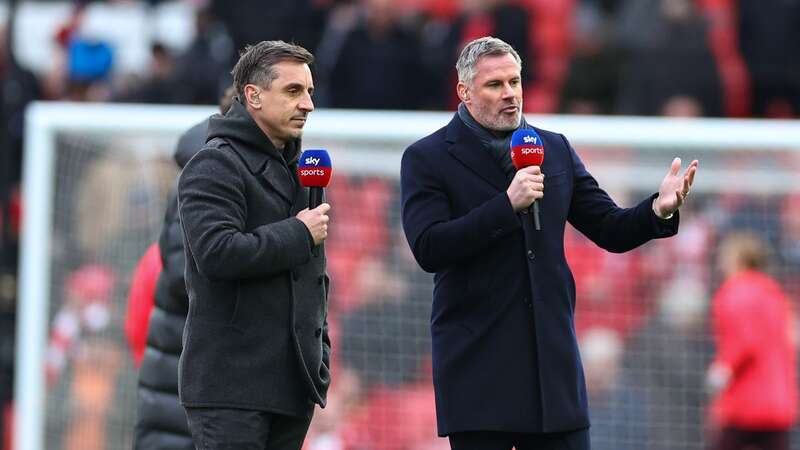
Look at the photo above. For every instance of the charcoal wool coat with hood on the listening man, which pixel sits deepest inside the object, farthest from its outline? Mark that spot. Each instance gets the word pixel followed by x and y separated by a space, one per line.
pixel 256 335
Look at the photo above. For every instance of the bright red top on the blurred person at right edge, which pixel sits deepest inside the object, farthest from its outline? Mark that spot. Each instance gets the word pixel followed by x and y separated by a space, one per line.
pixel 754 331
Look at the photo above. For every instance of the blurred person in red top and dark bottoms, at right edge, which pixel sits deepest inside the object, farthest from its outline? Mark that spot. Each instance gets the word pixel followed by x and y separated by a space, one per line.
pixel 754 376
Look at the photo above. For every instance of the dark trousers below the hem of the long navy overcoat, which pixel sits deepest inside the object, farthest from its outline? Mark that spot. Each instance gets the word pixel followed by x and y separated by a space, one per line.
pixel 492 440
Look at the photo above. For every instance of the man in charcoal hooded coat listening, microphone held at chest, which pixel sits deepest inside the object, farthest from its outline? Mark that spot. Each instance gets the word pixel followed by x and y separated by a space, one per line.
pixel 256 353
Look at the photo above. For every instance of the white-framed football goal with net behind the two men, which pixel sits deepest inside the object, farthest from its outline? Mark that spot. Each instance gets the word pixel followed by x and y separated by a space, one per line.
pixel 95 183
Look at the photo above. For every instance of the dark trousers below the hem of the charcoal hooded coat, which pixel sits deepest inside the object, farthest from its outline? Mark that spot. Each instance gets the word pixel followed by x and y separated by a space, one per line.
pixel 241 429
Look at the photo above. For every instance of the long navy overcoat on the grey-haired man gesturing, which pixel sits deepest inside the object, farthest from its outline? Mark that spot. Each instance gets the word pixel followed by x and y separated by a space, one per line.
pixel 505 355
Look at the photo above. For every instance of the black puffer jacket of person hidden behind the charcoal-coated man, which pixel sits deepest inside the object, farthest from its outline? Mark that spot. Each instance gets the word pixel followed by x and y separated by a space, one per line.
pixel 161 420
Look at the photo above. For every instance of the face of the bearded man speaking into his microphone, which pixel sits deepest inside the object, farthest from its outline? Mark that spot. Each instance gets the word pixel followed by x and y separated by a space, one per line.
pixel 494 97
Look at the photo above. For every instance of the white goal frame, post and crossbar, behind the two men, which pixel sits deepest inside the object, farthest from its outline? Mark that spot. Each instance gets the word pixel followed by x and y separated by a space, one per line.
pixel 44 120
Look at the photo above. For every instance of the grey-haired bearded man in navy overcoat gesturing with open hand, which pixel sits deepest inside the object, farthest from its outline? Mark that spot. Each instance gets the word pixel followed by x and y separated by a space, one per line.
pixel 506 368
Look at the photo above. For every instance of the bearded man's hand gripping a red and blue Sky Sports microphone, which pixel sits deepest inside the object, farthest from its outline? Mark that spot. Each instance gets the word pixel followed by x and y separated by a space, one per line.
pixel 527 154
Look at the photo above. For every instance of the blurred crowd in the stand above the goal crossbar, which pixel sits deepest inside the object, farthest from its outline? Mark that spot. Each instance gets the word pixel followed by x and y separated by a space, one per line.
pixel 649 57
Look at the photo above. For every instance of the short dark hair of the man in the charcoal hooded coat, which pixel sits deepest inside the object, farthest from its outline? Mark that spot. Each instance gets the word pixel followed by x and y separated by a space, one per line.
pixel 255 65
